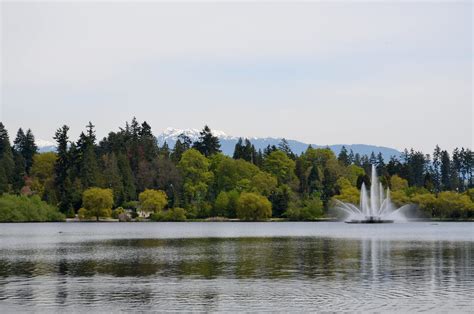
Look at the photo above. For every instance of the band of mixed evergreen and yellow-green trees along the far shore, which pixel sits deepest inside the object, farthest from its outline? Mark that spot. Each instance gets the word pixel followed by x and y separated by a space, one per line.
pixel 128 176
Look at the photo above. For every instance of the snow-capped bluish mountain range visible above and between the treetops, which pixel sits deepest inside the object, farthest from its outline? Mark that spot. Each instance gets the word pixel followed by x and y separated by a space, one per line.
pixel 170 136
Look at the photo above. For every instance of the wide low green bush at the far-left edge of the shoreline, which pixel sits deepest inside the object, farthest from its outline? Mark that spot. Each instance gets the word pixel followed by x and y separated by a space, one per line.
pixel 15 208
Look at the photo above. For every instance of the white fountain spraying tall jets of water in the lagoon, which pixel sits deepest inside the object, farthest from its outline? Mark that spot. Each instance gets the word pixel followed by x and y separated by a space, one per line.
pixel 374 208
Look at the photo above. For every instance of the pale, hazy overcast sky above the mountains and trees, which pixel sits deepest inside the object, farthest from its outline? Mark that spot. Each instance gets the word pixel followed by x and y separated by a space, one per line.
pixel 396 74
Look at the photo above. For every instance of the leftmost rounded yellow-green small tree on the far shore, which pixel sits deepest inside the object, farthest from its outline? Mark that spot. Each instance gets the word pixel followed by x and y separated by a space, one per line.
pixel 98 202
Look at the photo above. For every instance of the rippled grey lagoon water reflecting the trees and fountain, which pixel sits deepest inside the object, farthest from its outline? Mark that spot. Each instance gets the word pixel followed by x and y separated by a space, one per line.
pixel 219 266
